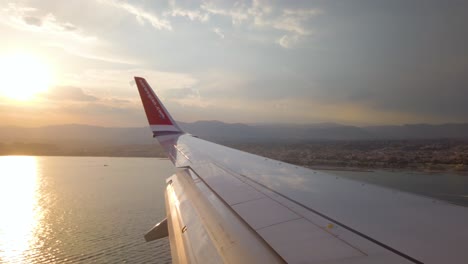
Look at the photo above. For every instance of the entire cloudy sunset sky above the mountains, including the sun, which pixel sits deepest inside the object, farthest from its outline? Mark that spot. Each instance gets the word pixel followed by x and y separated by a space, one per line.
pixel 351 62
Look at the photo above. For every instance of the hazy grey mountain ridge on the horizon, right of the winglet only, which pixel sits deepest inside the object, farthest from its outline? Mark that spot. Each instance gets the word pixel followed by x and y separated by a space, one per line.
pixel 216 130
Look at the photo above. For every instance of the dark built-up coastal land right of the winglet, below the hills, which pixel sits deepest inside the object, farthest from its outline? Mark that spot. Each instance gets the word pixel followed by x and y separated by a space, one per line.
pixel 426 155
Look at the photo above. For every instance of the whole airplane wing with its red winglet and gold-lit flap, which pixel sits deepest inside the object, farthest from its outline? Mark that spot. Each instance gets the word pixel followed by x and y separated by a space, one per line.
pixel 228 206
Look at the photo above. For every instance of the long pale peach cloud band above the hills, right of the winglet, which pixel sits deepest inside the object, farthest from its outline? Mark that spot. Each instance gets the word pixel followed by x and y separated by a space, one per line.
pixel 291 110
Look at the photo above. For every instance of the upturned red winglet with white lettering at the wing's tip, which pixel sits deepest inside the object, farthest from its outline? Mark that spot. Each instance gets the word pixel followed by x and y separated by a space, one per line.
pixel 160 120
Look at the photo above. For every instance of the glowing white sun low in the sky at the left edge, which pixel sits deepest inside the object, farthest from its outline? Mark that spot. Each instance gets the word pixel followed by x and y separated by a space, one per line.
pixel 23 76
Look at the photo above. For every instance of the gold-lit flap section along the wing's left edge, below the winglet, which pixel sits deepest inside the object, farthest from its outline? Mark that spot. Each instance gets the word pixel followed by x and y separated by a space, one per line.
pixel 203 230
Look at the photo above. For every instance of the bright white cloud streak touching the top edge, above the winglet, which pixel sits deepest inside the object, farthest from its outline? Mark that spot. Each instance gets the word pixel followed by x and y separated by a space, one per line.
pixel 141 15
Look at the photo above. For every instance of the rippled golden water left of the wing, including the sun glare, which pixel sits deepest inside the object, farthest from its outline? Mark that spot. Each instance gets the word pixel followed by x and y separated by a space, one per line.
pixel 81 209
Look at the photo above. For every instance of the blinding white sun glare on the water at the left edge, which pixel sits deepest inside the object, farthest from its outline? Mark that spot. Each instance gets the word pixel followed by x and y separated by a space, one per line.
pixel 19 208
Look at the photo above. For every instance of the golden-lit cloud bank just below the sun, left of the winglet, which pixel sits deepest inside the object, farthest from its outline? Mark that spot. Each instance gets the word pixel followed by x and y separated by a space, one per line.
pixel 64 105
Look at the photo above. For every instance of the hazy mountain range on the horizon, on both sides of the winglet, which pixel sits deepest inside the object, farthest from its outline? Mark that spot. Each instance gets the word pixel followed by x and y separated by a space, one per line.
pixel 219 131
